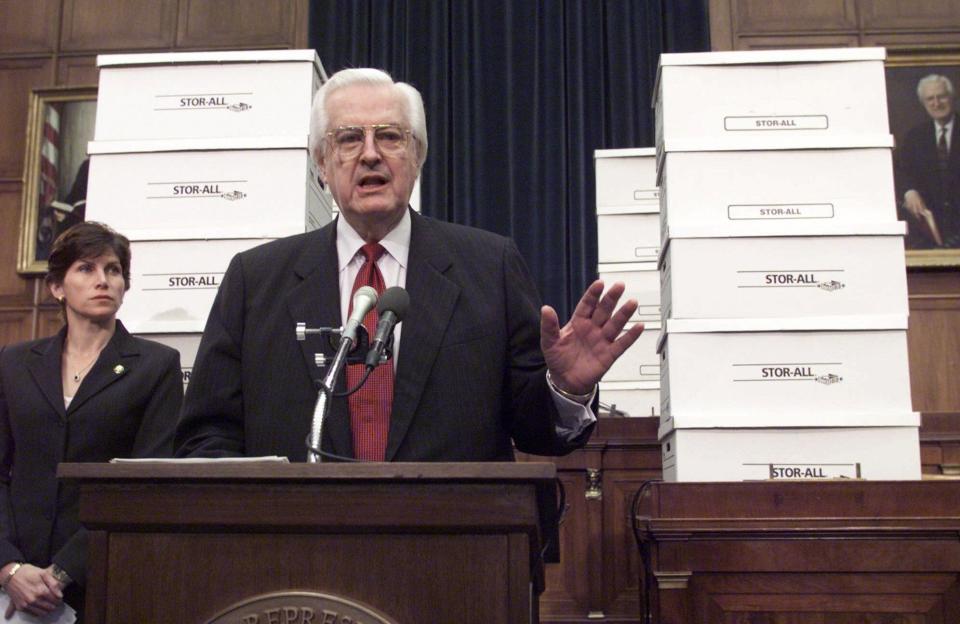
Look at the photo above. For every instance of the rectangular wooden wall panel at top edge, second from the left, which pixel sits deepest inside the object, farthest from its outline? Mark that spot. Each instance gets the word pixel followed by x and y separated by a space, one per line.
pixel 93 25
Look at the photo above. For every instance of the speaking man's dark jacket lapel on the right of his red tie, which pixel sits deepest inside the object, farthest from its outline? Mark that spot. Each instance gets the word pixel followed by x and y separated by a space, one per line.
pixel 432 299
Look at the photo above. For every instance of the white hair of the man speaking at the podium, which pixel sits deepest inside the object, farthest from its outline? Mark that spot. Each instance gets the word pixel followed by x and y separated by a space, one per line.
pixel 416 116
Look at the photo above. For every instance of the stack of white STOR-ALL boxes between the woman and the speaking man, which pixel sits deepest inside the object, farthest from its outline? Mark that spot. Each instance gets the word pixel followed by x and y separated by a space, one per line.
pixel 196 157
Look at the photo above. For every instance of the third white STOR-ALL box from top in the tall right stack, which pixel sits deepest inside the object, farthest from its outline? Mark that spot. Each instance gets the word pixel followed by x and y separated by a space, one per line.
pixel 706 278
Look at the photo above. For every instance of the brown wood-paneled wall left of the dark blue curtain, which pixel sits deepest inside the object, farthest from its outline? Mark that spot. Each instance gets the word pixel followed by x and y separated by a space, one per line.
pixel 45 43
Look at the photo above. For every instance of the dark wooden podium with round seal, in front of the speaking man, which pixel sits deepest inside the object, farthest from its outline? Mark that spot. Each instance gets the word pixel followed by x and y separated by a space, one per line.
pixel 258 543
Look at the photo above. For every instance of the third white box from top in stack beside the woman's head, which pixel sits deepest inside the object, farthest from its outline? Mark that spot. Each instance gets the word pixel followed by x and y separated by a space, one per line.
pixel 173 283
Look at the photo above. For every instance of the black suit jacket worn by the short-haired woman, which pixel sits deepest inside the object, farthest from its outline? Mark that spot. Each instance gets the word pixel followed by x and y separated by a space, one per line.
pixel 125 407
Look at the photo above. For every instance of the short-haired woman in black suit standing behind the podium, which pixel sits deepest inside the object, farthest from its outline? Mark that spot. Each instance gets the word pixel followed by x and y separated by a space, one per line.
pixel 91 393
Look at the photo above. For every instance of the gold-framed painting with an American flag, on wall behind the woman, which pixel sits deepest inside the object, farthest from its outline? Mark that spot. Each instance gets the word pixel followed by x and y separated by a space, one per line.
pixel 60 122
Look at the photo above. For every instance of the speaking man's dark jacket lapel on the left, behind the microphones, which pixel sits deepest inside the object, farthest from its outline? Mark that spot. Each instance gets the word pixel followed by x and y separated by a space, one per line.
pixel 316 302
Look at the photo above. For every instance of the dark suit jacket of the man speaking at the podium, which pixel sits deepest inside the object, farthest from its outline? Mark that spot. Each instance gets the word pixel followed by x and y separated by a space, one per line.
pixel 470 372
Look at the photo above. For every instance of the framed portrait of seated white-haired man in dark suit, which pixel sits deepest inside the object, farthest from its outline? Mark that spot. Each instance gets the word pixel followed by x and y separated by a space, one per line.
pixel 924 122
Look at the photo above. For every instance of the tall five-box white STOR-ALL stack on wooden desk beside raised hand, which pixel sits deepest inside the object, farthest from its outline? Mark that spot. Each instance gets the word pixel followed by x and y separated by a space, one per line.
pixel 783 285
